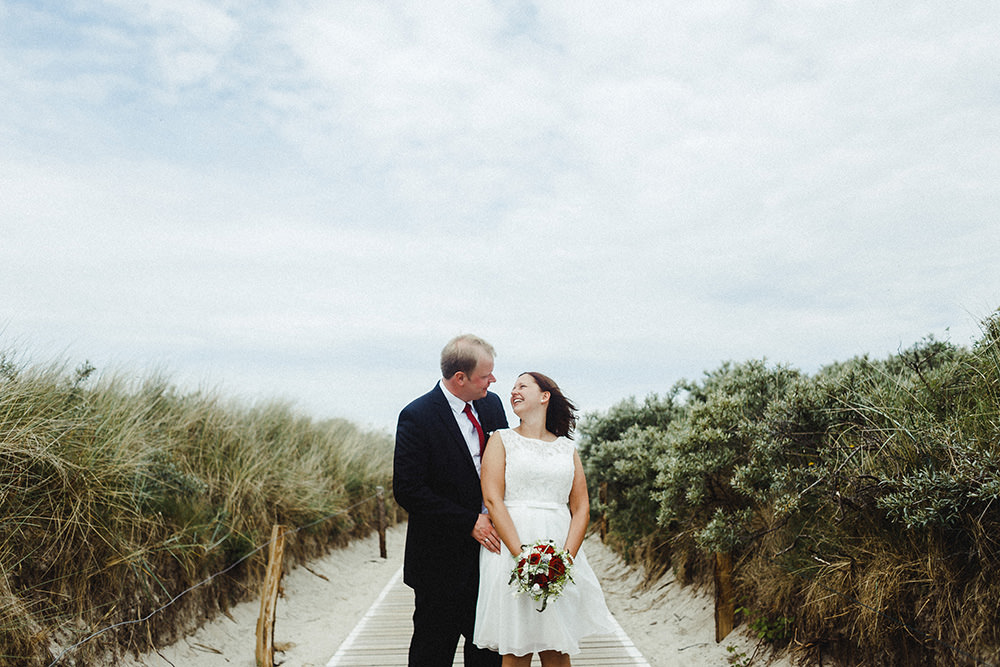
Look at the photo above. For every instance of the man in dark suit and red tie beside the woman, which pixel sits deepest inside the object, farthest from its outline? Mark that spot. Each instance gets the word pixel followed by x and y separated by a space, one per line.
pixel 436 480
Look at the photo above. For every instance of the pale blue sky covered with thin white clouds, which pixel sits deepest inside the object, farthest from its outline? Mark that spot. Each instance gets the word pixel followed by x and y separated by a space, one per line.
pixel 306 200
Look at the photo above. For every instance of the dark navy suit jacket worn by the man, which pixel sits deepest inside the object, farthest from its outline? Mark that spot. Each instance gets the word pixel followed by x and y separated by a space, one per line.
pixel 435 481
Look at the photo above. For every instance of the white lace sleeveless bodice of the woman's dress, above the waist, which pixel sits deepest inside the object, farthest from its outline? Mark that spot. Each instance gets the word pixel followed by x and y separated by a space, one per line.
pixel 537 471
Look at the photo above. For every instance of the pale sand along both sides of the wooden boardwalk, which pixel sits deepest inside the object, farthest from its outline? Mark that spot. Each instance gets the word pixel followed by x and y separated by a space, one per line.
pixel 670 625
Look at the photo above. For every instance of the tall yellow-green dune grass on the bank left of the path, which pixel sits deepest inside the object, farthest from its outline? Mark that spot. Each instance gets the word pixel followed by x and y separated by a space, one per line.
pixel 116 495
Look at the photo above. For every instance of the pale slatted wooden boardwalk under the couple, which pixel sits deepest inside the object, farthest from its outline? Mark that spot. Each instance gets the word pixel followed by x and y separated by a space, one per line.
pixel 382 637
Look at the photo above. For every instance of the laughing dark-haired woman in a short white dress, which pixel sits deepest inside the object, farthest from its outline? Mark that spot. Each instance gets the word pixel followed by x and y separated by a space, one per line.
pixel 534 488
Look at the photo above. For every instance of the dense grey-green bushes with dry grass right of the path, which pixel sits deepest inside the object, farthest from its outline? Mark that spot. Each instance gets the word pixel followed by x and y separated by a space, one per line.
pixel 863 501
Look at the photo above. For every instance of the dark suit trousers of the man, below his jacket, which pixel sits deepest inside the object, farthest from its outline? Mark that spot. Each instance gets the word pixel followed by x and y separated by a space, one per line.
pixel 440 617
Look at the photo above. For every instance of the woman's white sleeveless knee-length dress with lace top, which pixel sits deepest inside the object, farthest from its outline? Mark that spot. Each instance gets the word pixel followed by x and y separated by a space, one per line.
pixel 538 479
